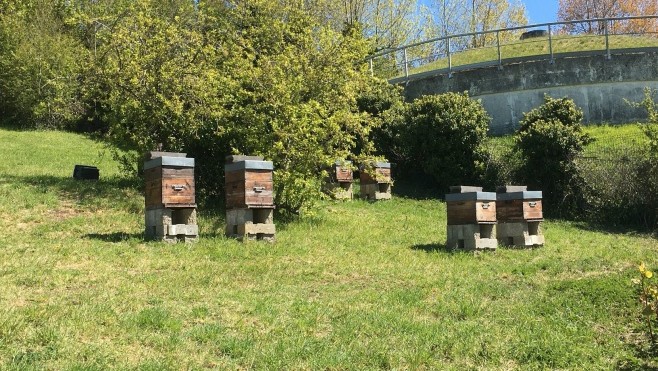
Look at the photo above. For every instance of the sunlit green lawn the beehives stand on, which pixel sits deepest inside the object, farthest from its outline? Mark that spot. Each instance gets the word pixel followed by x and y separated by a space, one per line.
pixel 359 286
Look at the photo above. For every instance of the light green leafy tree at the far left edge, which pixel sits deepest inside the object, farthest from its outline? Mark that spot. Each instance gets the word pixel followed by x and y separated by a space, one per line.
pixel 40 65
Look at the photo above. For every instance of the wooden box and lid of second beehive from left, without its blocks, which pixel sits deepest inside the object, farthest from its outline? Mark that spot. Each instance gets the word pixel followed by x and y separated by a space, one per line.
pixel 249 184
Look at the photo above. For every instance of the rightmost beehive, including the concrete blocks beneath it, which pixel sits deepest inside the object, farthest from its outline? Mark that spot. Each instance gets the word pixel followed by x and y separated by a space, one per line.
pixel 519 214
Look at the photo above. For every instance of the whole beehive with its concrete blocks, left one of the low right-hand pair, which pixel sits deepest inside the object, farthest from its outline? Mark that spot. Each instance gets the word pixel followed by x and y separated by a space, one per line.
pixel 471 218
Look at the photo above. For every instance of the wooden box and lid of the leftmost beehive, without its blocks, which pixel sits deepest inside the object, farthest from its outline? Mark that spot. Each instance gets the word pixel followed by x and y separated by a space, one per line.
pixel 169 182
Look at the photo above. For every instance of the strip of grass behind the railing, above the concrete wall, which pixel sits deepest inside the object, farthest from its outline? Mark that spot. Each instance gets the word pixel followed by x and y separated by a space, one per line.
pixel 538 46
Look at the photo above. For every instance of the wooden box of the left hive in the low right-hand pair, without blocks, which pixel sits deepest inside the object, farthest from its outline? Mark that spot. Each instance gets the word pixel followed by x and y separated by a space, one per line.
pixel 471 208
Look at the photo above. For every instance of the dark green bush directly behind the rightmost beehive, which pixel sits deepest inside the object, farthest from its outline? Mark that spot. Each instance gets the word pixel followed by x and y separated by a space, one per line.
pixel 549 139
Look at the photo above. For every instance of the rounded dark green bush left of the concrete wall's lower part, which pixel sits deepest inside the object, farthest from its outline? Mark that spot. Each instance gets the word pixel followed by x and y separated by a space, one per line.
pixel 441 136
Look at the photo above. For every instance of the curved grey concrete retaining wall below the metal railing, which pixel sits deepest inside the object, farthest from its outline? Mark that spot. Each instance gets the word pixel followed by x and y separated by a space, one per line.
pixel 599 86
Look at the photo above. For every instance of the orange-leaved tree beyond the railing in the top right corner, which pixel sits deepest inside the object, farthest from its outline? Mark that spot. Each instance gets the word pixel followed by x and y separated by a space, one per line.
pixel 570 10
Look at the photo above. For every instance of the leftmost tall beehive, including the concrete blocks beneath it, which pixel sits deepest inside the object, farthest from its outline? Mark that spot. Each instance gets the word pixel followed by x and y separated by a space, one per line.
pixel 170 197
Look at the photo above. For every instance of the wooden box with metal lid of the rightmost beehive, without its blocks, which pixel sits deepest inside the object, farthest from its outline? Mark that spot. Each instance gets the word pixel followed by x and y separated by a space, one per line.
pixel 519 206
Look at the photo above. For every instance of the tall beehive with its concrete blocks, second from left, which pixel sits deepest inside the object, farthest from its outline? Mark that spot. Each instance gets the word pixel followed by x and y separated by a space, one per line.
pixel 249 198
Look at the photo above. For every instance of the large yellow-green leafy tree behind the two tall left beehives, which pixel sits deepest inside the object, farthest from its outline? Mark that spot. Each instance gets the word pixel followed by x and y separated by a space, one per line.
pixel 254 77
